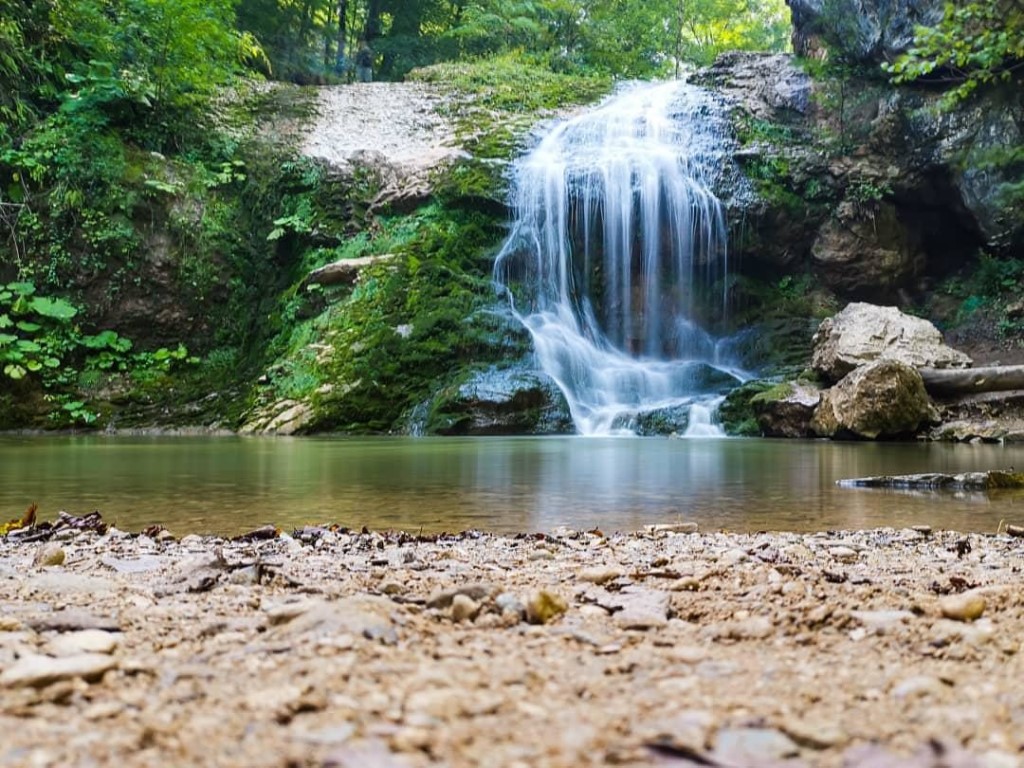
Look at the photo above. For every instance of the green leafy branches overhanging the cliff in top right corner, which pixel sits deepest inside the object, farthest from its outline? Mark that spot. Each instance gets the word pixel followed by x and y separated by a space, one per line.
pixel 975 45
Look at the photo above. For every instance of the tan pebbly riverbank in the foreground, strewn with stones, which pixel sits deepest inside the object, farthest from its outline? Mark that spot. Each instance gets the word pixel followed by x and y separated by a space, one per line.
pixel 661 648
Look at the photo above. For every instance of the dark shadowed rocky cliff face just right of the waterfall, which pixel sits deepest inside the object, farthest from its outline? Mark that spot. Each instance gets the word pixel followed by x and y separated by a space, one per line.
pixel 868 188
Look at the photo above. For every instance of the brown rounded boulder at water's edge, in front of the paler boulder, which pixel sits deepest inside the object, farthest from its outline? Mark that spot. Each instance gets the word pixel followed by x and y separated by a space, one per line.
pixel 885 399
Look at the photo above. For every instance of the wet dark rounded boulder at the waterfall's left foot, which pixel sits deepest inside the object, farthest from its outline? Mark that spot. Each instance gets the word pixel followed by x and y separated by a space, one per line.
pixel 511 401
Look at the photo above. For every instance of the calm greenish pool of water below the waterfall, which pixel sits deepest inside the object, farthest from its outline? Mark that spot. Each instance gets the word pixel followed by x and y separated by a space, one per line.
pixel 232 485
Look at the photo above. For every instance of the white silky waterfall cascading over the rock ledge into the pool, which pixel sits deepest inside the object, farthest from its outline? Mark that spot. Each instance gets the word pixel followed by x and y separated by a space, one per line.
pixel 617 246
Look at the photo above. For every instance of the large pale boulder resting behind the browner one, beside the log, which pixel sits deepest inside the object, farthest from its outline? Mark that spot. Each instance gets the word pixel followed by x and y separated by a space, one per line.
pixel 865 333
